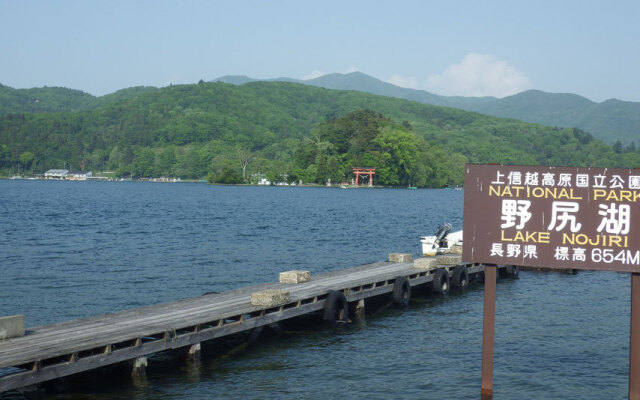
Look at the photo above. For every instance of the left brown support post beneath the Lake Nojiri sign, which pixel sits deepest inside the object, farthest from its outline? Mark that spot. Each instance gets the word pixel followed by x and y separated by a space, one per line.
pixel 488 329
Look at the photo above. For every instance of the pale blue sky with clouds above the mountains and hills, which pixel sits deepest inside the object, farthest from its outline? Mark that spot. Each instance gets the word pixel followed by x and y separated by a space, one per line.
pixel 463 48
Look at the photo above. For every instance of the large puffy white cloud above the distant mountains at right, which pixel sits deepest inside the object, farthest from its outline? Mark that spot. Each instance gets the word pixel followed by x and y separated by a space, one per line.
pixel 478 75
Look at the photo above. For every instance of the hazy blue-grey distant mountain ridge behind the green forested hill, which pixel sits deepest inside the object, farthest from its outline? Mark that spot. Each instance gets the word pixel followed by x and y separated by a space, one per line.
pixel 612 120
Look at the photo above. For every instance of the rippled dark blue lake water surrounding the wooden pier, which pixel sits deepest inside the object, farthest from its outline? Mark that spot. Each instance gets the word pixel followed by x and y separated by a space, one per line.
pixel 76 249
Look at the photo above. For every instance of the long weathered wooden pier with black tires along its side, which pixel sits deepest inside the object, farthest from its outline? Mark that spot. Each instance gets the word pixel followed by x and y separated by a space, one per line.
pixel 53 351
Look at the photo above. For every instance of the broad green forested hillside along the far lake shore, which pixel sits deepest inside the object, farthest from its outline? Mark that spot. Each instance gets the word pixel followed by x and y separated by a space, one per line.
pixel 285 131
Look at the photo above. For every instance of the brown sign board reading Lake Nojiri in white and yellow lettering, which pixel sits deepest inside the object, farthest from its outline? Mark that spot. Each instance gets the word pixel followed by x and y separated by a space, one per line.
pixel 552 217
